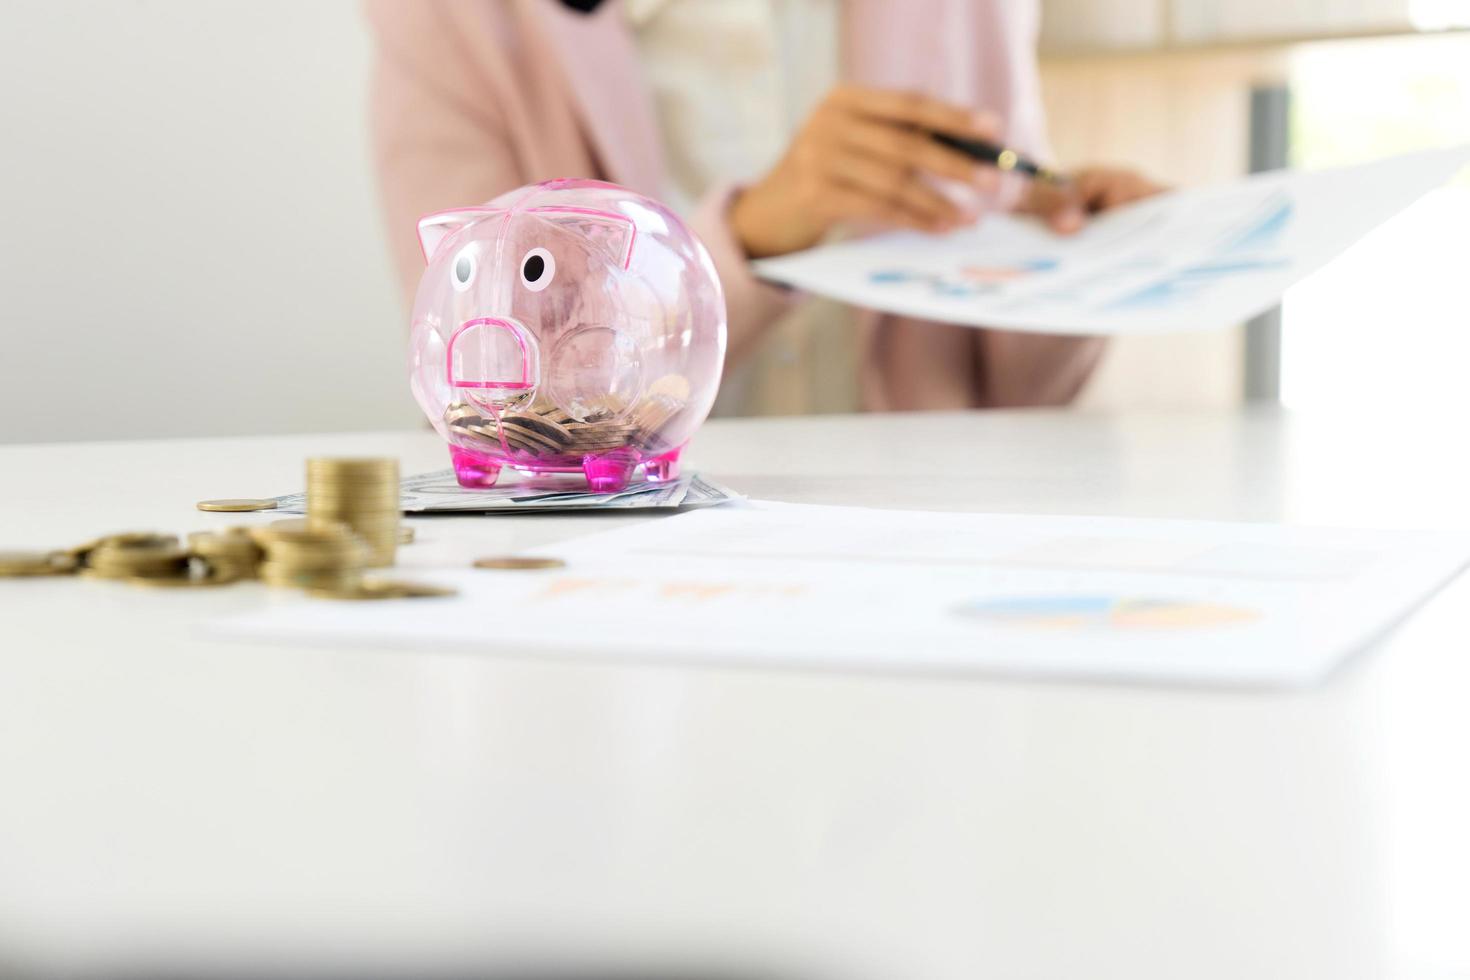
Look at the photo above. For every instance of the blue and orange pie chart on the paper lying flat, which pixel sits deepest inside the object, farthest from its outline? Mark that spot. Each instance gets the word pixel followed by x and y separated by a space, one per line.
pixel 1105 613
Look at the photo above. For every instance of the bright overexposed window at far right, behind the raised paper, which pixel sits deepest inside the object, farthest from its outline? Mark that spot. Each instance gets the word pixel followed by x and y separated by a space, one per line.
pixel 1390 321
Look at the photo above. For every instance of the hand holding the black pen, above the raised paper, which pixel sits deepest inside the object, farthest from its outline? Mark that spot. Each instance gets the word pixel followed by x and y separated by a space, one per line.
pixel 862 155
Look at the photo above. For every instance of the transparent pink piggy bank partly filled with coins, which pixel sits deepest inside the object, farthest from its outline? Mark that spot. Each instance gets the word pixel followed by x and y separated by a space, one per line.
pixel 571 327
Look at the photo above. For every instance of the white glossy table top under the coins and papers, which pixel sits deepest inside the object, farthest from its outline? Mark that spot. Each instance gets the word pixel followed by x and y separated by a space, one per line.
pixel 158 787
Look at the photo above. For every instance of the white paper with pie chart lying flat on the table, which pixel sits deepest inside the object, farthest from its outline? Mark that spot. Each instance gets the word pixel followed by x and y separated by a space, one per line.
pixel 911 591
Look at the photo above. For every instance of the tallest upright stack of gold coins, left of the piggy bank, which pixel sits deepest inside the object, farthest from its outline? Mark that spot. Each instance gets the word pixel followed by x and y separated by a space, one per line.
pixel 361 494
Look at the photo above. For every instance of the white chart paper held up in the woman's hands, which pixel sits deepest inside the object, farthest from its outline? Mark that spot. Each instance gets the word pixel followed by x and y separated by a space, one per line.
pixel 1193 259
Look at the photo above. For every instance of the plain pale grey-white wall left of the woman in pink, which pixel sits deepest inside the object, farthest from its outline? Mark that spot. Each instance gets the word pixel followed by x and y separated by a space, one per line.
pixel 192 243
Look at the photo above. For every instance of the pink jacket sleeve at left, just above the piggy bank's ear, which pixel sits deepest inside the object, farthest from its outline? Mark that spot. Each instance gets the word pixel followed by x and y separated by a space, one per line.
pixel 433 148
